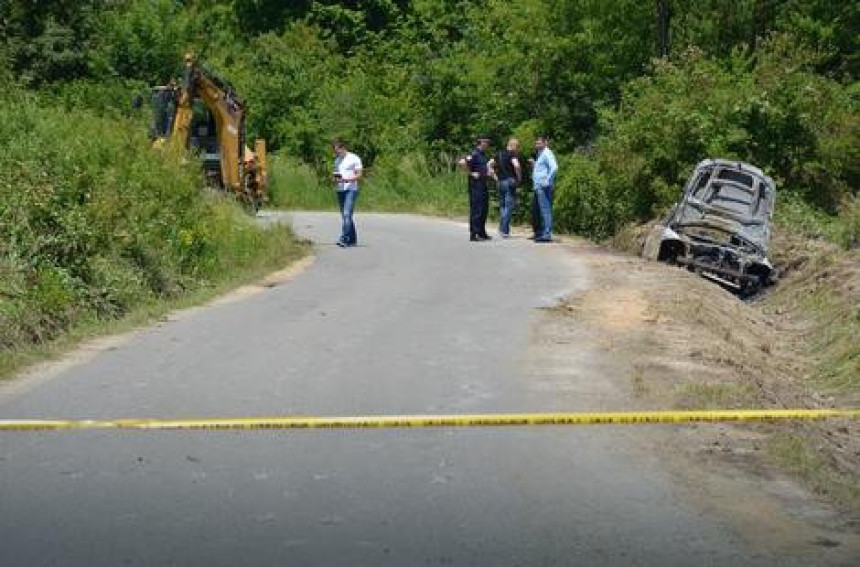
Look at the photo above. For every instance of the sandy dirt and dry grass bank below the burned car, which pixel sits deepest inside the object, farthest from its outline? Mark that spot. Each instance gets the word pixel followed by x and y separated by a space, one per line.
pixel 691 344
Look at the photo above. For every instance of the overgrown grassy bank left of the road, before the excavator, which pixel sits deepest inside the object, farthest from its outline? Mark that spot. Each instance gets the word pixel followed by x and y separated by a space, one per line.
pixel 99 233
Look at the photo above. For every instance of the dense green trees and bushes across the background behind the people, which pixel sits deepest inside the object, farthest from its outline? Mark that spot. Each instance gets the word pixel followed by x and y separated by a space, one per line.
pixel 409 83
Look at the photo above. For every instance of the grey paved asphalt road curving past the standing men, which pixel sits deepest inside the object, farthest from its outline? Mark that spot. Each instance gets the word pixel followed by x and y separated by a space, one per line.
pixel 416 319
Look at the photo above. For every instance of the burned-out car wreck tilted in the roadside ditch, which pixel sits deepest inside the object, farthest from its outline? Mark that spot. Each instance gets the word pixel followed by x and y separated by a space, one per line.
pixel 721 226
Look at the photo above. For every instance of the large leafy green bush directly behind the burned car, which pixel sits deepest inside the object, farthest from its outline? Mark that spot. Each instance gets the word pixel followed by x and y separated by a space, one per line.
pixel 771 110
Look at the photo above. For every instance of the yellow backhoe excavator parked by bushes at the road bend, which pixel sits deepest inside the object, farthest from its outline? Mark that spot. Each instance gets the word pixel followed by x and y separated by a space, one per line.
pixel 204 113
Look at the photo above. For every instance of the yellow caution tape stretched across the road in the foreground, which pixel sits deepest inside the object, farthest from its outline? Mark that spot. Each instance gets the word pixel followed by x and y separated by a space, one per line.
pixel 475 420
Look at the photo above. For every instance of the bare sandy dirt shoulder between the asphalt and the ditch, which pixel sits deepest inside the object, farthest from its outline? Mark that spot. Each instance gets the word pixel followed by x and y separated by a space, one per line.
pixel 685 343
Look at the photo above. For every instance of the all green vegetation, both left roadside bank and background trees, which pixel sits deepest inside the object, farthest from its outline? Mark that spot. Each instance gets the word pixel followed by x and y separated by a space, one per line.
pixel 632 94
